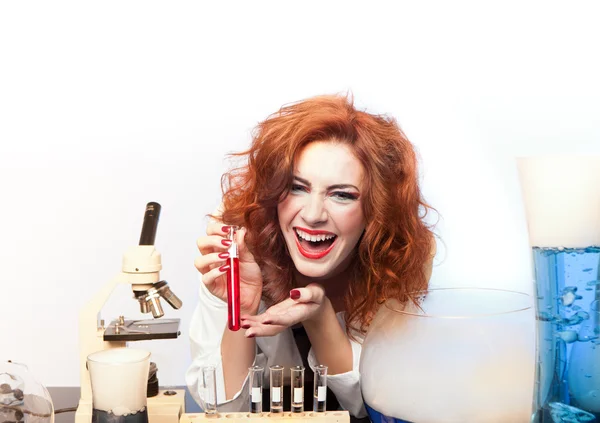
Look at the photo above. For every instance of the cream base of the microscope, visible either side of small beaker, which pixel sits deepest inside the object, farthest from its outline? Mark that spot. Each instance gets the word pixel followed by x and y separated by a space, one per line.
pixel 161 408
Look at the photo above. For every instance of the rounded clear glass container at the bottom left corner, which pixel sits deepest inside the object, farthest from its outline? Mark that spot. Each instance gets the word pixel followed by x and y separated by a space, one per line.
pixel 22 398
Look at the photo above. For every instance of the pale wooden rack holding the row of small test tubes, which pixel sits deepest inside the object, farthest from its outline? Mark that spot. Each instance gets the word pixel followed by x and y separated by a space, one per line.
pixel 285 417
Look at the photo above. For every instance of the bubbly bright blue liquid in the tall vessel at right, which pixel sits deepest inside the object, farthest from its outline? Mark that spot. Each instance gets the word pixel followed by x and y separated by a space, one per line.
pixel 568 346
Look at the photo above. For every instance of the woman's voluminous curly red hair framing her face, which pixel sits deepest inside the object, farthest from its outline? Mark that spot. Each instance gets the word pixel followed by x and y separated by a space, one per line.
pixel 396 245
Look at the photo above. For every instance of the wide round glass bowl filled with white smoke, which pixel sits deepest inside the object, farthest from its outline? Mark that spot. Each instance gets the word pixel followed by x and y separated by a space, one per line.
pixel 461 355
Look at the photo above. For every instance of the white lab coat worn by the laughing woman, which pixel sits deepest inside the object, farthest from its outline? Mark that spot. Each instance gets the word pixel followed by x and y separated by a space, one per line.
pixel 206 331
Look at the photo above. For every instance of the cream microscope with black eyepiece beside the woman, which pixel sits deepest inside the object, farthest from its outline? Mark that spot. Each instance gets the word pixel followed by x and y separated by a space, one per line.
pixel 140 269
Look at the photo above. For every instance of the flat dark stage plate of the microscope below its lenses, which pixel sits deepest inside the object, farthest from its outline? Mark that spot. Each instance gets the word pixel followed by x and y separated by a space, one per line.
pixel 141 330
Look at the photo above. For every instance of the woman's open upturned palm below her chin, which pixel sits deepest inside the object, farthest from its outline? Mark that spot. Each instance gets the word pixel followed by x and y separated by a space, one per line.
pixel 304 304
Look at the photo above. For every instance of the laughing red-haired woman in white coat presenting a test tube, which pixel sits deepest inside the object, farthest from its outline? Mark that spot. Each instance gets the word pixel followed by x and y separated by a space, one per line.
pixel 333 226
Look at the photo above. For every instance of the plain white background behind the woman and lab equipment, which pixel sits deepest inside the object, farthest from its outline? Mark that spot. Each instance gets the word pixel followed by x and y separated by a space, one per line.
pixel 105 106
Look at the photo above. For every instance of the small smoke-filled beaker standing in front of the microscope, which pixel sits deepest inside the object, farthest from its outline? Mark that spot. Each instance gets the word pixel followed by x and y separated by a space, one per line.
pixel 119 379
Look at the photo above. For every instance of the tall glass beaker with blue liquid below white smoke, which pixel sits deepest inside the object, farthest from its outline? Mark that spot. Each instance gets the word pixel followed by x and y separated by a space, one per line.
pixel 562 203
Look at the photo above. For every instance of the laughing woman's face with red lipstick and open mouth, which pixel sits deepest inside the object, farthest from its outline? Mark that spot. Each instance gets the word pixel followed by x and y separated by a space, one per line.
pixel 322 217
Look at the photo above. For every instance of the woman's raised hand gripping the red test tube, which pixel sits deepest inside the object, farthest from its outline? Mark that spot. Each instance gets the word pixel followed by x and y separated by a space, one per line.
pixel 213 249
